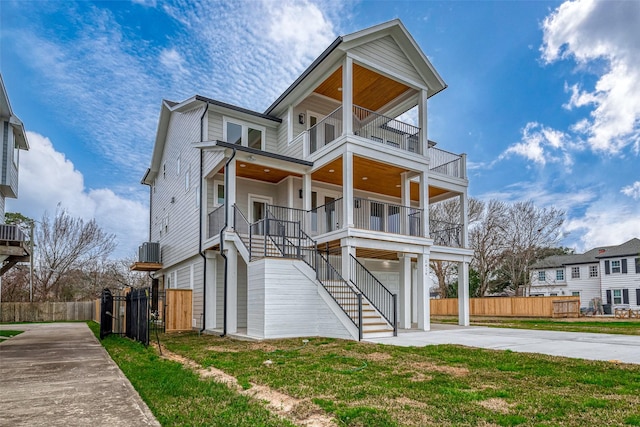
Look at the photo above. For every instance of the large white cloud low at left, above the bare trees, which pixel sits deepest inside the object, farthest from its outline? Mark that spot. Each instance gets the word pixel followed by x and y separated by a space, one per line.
pixel 47 178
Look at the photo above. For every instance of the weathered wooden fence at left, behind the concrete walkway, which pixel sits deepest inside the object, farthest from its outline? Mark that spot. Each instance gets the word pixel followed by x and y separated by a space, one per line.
pixel 46 311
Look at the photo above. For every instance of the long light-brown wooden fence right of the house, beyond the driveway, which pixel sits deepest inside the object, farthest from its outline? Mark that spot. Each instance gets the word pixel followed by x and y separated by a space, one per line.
pixel 556 306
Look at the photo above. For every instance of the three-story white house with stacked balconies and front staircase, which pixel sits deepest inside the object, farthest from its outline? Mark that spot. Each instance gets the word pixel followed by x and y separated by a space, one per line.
pixel 311 218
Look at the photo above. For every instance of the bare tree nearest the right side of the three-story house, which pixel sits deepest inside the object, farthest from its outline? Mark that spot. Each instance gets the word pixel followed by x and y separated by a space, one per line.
pixel 488 239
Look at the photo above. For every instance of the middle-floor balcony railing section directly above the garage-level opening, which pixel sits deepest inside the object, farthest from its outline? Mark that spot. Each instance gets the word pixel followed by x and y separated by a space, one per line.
pixel 386 217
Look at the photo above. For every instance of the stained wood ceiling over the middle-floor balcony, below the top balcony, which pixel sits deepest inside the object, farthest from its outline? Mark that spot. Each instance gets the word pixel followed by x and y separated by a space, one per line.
pixel 380 178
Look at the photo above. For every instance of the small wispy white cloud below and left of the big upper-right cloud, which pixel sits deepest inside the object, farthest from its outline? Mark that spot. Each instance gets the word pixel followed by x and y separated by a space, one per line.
pixel 542 144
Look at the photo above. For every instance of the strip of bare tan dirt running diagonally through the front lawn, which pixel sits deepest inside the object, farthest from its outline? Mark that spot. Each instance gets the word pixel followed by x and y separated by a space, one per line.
pixel 301 412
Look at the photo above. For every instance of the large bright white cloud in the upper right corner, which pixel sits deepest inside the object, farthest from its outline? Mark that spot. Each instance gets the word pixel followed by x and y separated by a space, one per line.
pixel 590 31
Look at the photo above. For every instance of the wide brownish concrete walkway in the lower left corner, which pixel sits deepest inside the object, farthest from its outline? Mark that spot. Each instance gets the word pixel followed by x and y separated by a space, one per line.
pixel 58 374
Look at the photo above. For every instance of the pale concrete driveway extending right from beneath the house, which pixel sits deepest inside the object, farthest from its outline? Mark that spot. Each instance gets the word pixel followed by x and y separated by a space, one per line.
pixel 608 347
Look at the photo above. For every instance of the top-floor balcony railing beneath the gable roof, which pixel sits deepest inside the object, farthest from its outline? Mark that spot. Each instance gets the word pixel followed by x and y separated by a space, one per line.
pixel 366 124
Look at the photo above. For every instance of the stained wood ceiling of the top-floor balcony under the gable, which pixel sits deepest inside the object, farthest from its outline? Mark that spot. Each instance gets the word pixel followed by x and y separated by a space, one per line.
pixel 370 89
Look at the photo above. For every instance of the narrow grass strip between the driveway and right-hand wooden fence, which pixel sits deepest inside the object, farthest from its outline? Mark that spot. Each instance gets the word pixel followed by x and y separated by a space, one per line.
pixel 596 325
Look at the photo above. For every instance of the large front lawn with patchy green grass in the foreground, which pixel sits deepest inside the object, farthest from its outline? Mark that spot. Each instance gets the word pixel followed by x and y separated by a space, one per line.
pixel 360 384
